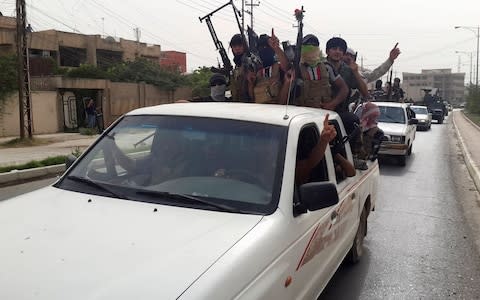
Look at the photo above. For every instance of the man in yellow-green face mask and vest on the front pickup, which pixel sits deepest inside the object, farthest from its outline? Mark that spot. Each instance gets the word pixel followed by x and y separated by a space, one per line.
pixel 318 79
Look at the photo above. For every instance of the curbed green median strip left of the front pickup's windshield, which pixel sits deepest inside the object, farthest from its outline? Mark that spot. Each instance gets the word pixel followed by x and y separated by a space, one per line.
pixel 19 176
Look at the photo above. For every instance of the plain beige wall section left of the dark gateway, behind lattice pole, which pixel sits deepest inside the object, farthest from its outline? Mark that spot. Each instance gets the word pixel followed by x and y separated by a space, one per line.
pixel 45 114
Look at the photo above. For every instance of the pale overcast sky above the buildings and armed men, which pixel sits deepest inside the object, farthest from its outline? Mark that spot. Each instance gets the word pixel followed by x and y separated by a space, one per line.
pixel 424 29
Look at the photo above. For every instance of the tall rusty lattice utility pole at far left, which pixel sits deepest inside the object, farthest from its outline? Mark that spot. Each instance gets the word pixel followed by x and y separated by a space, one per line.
pixel 24 99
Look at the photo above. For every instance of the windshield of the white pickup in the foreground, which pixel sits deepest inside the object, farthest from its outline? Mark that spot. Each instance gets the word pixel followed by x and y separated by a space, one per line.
pixel 226 163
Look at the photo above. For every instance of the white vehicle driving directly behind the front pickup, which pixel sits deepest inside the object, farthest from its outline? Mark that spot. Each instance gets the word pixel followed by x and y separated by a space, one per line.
pixel 399 126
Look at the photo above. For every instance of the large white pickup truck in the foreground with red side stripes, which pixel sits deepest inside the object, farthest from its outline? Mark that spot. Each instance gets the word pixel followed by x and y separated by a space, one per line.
pixel 191 201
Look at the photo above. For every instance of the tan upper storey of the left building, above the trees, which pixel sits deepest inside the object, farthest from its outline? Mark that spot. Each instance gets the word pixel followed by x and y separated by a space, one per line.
pixel 73 49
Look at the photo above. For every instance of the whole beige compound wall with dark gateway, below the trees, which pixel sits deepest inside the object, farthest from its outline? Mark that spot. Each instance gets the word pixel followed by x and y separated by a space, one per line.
pixel 48 108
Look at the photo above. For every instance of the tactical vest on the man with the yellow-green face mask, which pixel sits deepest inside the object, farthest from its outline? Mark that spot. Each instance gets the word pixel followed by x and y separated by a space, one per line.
pixel 316 86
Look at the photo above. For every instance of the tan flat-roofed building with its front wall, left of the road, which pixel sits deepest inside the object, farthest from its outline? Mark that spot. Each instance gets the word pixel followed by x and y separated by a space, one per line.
pixel 58 102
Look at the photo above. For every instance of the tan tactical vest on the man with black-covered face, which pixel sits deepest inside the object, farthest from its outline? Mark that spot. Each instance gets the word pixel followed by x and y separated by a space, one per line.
pixel 267 85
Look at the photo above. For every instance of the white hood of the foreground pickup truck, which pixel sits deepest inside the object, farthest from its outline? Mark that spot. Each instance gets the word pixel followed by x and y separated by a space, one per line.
pixel 57 244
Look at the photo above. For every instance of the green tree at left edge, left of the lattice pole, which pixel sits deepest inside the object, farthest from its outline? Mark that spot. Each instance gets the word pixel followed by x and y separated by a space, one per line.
pixel 8 77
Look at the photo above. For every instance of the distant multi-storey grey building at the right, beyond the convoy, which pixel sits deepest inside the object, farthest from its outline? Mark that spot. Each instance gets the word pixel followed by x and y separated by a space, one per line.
pixel 450 85
